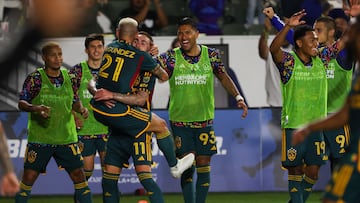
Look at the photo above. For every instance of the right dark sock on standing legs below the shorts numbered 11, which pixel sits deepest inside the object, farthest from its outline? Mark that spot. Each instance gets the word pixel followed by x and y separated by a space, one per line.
pixel 152 189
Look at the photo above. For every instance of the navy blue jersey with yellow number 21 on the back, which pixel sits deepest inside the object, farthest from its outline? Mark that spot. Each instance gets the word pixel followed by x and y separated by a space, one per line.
pixel 122 67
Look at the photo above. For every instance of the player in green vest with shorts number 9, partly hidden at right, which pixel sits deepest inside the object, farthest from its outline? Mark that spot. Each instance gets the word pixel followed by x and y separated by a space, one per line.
pixel 339 75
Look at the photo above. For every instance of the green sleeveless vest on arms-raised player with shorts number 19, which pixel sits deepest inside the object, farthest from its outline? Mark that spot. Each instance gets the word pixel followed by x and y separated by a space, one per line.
pixel 305 94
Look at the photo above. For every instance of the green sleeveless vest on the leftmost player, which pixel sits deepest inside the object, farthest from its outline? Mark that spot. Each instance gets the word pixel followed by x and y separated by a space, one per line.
pixel 59 128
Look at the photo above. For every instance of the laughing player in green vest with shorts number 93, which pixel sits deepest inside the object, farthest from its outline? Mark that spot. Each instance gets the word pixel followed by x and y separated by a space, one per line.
pixel 191 109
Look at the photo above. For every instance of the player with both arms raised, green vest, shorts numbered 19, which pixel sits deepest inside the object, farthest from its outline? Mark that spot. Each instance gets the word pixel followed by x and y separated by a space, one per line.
pixel 304 92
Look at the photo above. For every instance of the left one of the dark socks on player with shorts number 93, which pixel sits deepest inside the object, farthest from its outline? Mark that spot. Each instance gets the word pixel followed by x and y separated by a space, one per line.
pixel 187 185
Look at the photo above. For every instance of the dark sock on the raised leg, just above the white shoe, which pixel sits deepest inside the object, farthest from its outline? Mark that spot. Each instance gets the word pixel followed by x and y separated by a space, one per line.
pixel 166 145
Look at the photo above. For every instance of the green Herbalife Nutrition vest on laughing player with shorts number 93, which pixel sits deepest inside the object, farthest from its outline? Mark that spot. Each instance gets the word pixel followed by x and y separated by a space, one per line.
pixel 192 89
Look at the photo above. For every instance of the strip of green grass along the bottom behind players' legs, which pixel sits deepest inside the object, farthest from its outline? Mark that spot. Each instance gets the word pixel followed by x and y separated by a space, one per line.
pixel 241 197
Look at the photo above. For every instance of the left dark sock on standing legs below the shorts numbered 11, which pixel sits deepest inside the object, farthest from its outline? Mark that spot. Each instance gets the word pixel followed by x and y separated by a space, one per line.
pixel 110 187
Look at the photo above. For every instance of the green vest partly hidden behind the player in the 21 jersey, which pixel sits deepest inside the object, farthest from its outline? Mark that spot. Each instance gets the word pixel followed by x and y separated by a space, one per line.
pixel 90 125
